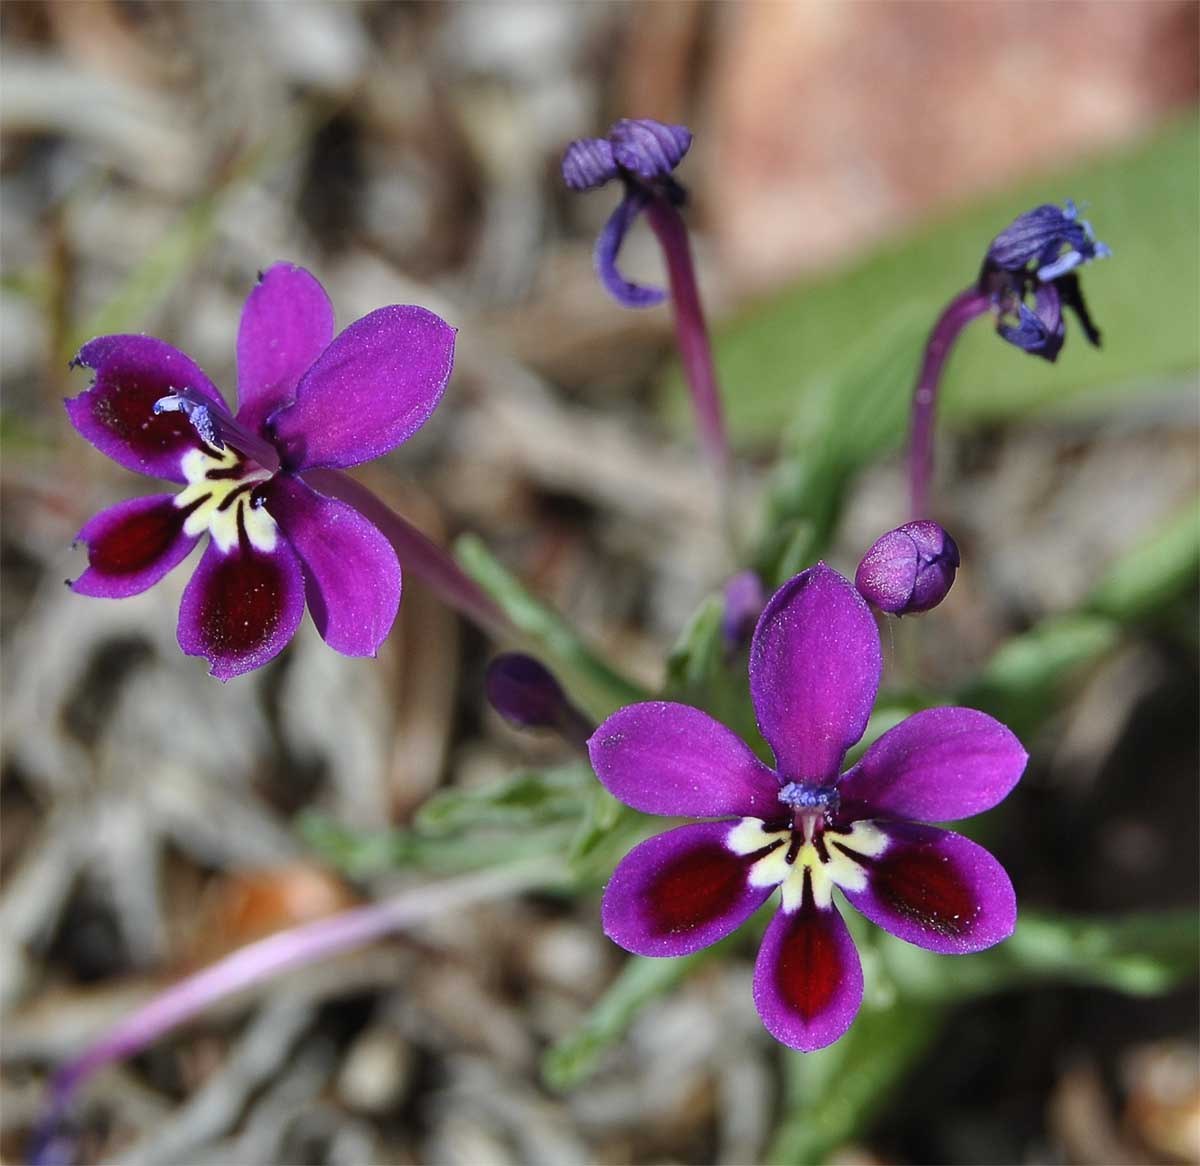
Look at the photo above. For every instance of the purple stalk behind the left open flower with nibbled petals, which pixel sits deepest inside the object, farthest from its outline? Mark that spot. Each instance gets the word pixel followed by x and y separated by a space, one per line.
pixel 418 554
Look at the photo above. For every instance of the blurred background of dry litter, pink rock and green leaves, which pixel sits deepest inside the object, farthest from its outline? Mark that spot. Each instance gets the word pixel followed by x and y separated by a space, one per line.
pixel 853 161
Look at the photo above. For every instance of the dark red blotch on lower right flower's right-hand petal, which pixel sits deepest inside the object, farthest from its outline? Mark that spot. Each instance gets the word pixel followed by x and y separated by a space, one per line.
pixel 920 885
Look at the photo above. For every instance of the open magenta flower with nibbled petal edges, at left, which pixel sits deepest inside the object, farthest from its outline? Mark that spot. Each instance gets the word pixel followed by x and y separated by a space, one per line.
pixel 307 401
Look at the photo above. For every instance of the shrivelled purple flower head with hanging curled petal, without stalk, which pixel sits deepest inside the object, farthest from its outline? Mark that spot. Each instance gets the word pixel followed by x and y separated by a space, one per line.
pixel 643 154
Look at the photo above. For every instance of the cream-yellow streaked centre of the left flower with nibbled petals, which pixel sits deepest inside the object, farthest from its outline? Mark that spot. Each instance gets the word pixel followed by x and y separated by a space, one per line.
pixel 221 498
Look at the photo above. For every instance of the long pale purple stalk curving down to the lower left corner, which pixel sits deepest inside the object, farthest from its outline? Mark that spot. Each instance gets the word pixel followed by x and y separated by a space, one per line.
pixel 272 957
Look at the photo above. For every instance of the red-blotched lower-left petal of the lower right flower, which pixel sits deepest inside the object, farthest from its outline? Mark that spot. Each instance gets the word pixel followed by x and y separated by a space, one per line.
pixel 681 892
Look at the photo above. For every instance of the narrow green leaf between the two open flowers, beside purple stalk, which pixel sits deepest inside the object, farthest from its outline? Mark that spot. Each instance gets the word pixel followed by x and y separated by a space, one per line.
pixel 596 684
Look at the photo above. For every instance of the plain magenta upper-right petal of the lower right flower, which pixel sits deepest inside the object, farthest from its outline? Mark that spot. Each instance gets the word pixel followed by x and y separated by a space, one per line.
pixel 934 767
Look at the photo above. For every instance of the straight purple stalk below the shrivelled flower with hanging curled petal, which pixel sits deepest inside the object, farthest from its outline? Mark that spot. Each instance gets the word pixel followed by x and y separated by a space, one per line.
pixel 692 333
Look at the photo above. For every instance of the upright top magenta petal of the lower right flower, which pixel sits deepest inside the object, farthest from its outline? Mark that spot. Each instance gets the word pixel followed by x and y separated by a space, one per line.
pixel 815 666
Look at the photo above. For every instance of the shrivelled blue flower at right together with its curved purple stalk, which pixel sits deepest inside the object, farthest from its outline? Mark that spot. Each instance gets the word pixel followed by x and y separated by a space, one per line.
pixel 1033 260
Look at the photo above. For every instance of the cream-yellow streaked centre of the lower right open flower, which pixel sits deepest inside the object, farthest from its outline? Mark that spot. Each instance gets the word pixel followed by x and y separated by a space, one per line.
pixel 825 858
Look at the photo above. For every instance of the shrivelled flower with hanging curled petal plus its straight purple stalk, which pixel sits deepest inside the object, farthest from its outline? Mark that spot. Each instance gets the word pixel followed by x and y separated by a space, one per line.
pixel 644 154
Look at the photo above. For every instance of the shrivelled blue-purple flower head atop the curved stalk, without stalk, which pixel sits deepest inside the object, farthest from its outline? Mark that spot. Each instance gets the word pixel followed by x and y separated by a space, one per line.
pixel 1036 257
